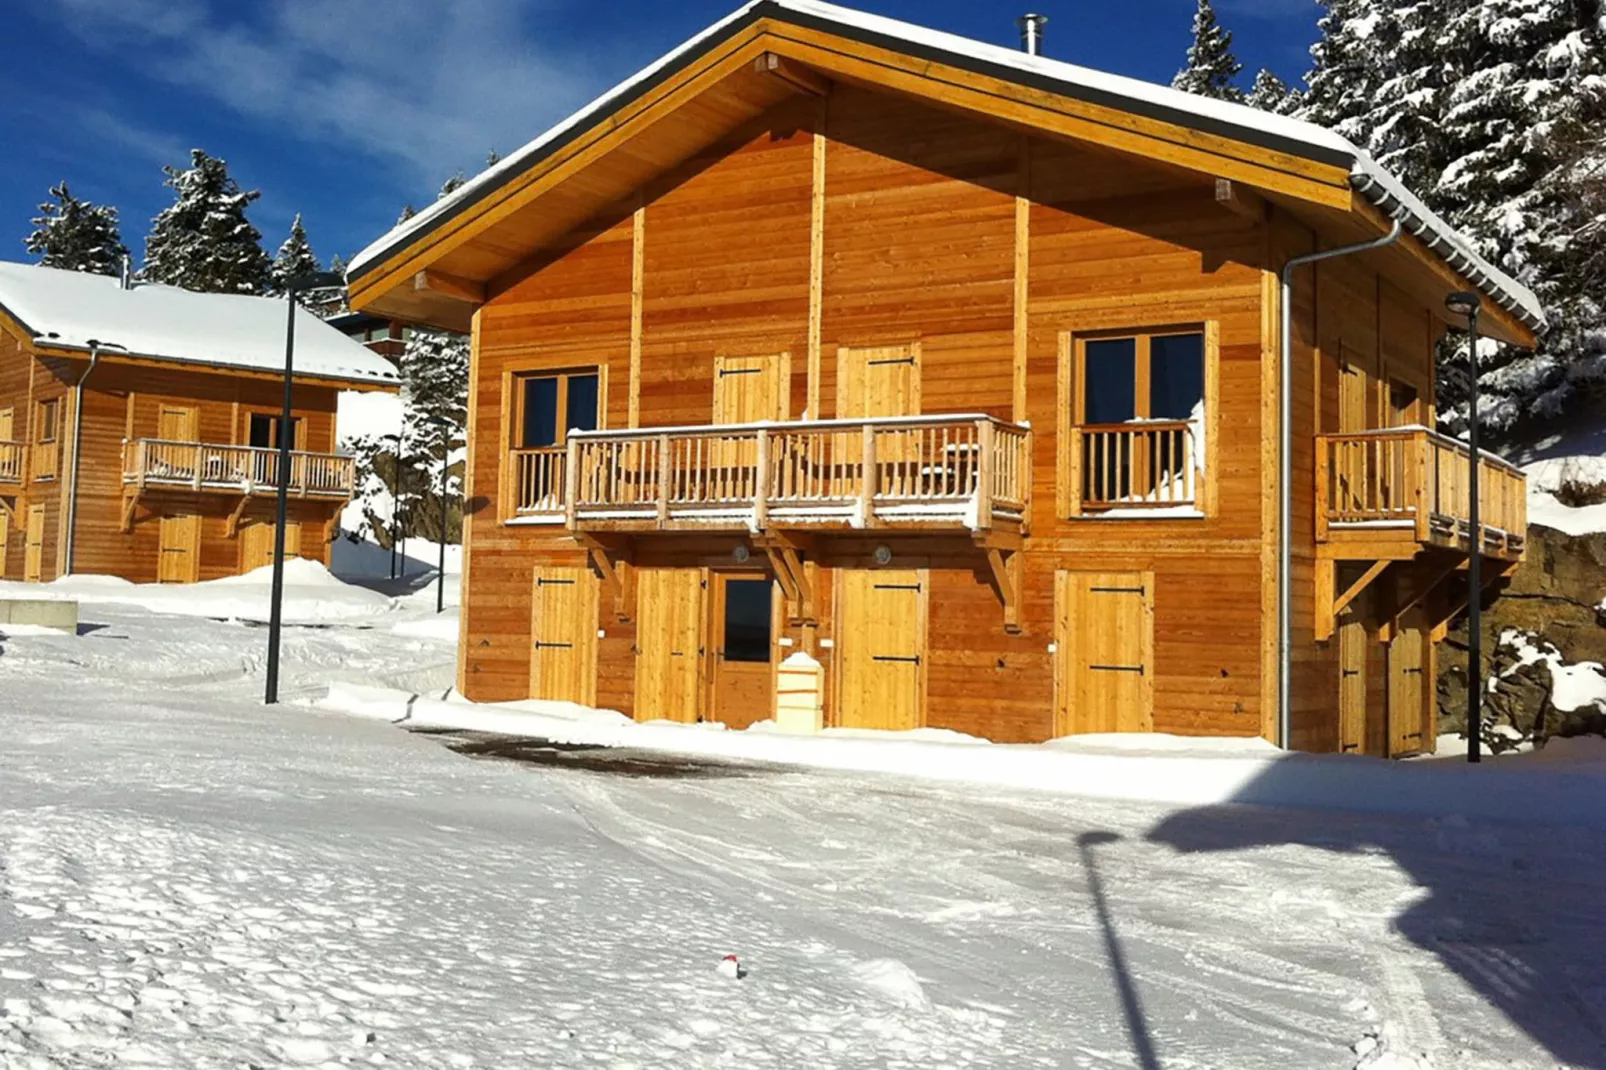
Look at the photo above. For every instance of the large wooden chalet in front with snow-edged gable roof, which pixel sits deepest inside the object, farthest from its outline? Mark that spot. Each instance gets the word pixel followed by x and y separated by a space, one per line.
pixel 958 369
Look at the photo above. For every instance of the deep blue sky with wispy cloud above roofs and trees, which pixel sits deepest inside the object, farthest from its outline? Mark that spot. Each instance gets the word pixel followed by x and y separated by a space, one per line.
pixel 348 110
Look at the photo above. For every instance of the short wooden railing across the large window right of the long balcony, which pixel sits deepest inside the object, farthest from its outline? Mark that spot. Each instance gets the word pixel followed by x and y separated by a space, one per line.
pixel 1149 465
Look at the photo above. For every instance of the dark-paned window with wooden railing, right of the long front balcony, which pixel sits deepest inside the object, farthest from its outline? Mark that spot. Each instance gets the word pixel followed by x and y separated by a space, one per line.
pixel 1138 423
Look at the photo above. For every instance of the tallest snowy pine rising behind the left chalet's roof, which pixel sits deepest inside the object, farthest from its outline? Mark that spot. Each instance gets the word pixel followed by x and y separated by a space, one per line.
pixel 205 240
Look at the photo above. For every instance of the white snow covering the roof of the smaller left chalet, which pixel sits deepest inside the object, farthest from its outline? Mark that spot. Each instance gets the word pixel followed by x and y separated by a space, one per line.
pixel 68 309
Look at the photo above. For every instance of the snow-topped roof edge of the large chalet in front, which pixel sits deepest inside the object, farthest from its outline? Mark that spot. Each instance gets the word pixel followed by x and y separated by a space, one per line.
pixel 1237 121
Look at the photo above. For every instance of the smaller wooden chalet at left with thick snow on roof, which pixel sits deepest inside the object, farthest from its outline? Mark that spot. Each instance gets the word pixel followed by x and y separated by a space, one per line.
pixel 174 402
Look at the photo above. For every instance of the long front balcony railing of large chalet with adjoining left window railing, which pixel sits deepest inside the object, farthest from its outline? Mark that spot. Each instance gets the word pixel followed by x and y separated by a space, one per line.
pixel 911 472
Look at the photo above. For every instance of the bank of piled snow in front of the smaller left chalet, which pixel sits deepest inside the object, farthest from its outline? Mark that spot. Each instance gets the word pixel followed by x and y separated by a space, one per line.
pixel 311 595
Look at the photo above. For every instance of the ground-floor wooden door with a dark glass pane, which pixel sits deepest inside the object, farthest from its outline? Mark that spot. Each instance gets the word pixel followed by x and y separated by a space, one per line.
pixel 743 631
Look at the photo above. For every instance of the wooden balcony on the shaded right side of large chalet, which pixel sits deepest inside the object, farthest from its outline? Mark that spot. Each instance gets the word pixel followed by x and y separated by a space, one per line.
pixel 1387 494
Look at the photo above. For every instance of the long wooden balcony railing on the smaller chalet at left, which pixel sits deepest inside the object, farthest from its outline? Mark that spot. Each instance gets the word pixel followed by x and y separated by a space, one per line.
pixel 243 470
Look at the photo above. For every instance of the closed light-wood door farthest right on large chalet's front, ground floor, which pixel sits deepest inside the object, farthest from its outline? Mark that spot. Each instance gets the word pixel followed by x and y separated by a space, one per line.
pixel 1106 643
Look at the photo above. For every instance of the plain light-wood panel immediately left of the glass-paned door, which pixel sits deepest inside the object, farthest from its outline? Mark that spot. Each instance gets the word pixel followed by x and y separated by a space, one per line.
pixel 669 645
